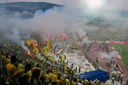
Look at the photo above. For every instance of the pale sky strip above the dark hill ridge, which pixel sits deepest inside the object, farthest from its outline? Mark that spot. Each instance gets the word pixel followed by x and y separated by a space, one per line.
pixel 117 4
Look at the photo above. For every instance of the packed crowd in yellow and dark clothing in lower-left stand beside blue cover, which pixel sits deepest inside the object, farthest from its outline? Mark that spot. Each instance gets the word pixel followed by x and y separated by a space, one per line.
pixel 31 70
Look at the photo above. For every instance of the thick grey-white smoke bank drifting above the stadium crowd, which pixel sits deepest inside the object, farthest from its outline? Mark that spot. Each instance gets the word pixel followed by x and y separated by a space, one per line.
pixel 99 24
